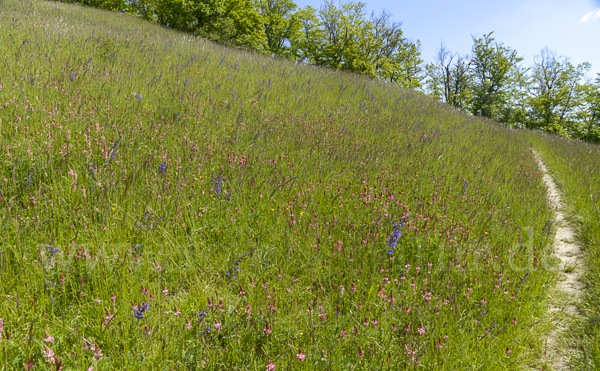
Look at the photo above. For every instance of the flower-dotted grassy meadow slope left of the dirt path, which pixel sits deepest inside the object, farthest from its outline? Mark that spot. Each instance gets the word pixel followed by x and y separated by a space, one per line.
pixel 170 204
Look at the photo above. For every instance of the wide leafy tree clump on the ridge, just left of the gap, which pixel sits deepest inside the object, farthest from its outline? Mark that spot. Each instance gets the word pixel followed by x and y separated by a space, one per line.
pixel 343 38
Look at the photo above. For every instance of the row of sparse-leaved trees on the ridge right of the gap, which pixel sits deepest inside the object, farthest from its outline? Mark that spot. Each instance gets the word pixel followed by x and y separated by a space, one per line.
pixel 491 83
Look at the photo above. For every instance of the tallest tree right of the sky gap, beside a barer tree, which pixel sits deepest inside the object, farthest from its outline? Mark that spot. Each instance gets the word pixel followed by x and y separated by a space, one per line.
pixel 498 79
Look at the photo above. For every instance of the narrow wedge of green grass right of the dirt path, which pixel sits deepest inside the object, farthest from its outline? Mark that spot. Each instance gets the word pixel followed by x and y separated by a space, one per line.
pixel 576 166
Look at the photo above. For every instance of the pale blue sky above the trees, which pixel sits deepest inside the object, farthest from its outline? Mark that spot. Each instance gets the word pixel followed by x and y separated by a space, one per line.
pixel 570 27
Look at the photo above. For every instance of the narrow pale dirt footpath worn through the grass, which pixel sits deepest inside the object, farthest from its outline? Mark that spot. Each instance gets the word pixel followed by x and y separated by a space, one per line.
pixel 564 298
